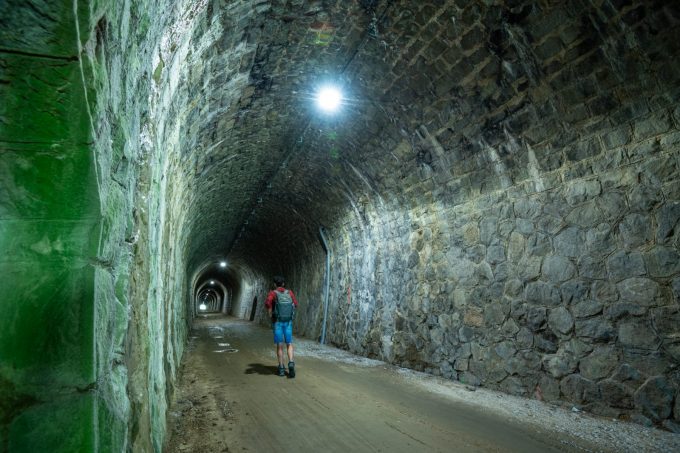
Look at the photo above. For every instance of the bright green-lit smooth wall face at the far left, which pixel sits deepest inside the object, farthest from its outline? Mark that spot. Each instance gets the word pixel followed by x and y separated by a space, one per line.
pixel 49 232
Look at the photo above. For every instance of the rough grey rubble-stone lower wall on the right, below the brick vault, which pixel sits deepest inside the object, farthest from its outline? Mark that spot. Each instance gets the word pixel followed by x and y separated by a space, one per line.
pixel 547 295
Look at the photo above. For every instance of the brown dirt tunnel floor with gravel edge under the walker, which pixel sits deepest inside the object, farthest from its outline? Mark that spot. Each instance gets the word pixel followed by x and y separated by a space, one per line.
pixel 230 400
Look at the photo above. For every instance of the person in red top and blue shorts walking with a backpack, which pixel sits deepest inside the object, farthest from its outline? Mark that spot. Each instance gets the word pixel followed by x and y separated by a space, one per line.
pixel 281 304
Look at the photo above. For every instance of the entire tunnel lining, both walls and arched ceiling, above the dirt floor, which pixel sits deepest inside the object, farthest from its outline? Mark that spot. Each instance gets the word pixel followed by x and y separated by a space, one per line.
pixel 498 197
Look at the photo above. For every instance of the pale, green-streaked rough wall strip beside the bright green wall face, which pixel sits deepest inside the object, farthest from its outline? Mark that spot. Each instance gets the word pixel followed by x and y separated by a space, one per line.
pixel 137 58
